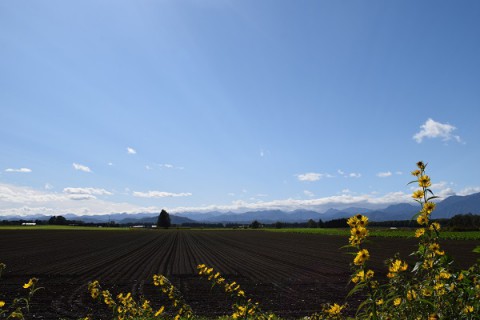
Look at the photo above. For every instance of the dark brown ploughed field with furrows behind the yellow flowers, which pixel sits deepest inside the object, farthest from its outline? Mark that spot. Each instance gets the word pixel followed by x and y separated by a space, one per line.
pixel 290 274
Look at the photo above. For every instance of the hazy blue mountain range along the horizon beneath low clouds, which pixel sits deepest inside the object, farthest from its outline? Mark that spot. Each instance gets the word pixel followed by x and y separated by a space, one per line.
pixel 446 208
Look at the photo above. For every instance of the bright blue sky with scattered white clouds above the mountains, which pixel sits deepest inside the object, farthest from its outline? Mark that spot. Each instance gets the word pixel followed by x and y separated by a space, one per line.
pixel 135 106
